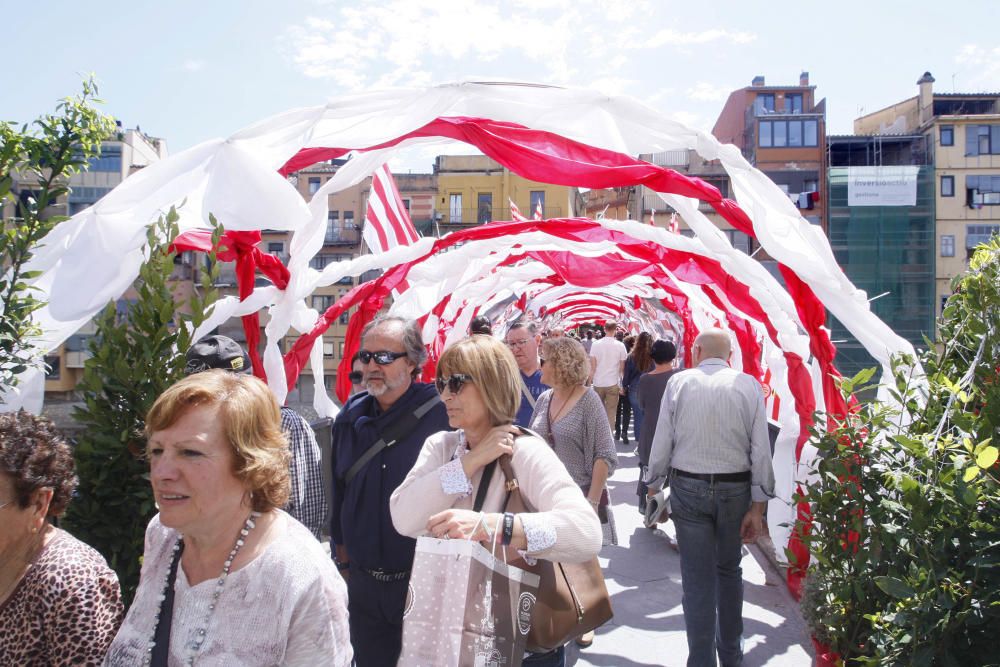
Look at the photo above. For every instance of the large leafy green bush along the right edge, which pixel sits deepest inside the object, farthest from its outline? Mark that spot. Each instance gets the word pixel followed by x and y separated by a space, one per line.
pixel 906 540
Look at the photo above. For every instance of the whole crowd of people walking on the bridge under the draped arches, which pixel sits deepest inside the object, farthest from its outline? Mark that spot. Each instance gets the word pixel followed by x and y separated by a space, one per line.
pixel 233 570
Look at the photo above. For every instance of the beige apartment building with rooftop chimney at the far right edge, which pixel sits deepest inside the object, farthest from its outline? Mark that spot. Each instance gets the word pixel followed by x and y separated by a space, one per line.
pixel 962 131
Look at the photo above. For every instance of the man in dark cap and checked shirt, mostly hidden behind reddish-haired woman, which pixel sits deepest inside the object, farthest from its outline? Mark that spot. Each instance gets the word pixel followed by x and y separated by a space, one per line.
pixel 307 501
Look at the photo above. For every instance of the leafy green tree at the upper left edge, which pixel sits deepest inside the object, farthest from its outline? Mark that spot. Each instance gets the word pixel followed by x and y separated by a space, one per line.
pixel 42 157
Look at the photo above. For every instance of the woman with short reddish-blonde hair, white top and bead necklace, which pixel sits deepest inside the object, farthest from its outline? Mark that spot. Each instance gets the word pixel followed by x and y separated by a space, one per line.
pixel 228 577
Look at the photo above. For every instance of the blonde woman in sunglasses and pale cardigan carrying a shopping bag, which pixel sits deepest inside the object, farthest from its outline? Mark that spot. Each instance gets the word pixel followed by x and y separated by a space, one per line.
pixel 481 389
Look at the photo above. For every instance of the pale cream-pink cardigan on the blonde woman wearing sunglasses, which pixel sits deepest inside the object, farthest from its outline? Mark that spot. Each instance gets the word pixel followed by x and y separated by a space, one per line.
pixel 544 483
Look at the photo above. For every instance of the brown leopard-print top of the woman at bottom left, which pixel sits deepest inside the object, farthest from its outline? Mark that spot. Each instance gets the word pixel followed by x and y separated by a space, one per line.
pixel 65 611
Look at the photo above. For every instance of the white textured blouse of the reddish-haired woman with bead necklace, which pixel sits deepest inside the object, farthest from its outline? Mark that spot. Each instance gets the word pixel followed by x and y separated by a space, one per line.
pixel 286 607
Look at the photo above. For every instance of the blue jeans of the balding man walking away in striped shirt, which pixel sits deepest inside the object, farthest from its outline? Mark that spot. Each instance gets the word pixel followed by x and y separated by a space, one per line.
pixel 708 518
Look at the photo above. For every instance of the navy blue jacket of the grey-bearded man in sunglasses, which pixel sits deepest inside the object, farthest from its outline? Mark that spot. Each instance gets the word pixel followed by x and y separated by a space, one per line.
pixel 360 517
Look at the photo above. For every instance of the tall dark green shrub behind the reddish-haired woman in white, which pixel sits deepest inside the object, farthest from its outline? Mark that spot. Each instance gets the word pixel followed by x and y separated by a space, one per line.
pixel 137 354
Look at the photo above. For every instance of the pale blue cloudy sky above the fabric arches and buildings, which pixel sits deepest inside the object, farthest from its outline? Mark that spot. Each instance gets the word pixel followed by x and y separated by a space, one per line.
pixel 190 71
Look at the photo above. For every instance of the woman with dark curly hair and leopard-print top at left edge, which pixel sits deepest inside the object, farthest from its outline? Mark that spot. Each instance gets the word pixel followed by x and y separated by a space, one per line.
pixel 59 601
